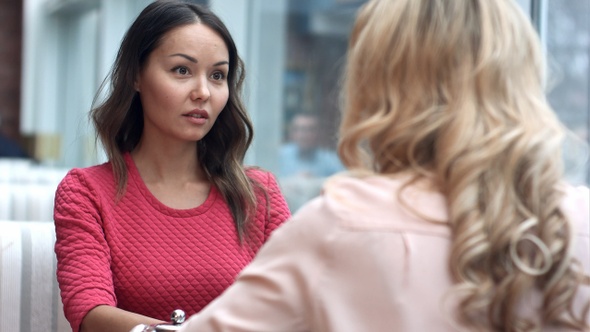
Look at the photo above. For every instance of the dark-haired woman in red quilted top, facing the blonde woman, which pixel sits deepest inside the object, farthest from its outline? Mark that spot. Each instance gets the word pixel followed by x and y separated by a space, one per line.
pixel 173 216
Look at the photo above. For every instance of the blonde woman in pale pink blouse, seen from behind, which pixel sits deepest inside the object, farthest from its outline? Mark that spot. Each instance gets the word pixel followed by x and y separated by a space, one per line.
pixel 454 215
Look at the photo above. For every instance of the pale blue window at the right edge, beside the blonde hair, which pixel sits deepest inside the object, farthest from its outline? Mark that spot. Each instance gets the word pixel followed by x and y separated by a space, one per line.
pixel 565 30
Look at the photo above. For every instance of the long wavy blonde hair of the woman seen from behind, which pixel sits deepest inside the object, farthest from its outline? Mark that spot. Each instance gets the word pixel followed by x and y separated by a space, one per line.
pixel 453 90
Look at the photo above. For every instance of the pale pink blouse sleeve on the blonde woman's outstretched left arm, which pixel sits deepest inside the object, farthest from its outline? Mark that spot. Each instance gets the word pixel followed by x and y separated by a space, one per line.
pixel 275 291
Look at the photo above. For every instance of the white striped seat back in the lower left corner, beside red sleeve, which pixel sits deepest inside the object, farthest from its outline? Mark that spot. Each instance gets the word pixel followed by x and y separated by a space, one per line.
pixel 29 294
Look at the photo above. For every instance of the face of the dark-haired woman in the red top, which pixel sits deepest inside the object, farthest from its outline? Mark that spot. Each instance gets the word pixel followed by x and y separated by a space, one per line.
pixel 183 86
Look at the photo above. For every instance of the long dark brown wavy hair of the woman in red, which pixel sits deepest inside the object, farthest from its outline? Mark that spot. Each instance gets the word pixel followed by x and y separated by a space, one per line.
pixel 119 118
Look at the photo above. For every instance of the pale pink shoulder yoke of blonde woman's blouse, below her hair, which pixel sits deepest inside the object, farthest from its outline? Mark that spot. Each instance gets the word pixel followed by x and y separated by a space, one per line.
pixel 370 200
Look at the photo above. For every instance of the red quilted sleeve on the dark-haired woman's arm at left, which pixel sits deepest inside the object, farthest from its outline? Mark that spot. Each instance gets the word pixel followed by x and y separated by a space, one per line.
pixel 83 255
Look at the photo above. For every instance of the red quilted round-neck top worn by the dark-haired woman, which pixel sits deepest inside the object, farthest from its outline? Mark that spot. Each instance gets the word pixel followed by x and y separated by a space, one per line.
pixel 142 256
